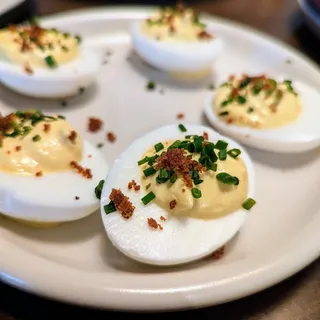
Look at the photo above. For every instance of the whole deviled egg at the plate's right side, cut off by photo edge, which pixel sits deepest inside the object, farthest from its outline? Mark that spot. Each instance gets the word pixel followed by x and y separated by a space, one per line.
pixel 268 114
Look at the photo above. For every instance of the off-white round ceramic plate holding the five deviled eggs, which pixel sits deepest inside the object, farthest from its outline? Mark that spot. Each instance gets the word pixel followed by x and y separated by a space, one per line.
pixel 76 262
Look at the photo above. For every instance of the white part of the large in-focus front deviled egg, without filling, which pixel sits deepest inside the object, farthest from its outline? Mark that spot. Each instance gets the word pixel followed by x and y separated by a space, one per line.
pixel 182 239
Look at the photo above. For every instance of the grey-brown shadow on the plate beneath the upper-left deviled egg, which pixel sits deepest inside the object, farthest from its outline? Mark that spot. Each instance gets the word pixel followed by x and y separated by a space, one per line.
pixel 16 101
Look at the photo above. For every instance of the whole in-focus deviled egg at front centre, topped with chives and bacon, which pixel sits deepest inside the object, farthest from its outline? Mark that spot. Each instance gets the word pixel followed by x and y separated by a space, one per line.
pixel 173 197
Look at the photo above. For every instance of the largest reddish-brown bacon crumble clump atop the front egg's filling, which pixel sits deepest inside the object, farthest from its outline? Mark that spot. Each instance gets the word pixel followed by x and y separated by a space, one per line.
pixel 176 160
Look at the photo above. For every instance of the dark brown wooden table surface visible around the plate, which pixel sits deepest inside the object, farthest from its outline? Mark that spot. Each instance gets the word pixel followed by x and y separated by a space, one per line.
pixel 297 298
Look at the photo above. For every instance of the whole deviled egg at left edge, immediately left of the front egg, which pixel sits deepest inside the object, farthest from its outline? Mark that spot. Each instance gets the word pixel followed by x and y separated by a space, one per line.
pixel 47 172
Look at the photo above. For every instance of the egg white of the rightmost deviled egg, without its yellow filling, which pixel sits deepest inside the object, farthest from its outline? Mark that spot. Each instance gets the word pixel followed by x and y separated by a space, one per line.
pixel 299 136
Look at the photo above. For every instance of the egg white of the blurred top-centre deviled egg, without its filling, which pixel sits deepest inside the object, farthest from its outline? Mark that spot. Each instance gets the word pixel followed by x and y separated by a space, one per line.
pixel 177 56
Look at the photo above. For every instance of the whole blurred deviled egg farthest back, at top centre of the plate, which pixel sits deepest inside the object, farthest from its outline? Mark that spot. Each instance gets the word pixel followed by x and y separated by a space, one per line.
pixel 176 41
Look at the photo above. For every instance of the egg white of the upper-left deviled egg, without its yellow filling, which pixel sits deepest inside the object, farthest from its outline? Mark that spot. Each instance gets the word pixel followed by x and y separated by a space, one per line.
pixel 60 82
